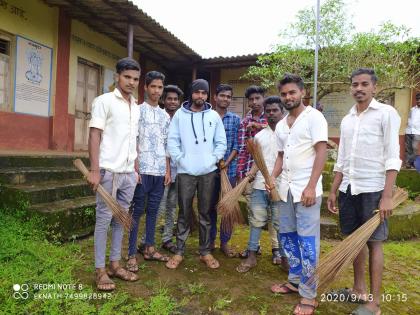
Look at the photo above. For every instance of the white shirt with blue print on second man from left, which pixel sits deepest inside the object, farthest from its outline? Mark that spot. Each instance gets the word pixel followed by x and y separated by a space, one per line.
pixel 153 136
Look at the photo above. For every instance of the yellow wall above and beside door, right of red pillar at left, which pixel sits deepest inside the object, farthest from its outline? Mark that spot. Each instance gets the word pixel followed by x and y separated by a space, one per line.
pixel 81 49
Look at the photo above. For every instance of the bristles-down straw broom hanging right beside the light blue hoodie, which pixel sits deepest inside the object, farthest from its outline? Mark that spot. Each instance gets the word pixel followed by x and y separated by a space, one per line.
pixel 230 218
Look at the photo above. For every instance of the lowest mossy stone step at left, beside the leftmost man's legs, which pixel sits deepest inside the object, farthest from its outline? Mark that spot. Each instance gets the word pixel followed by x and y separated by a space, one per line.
pixel 67 219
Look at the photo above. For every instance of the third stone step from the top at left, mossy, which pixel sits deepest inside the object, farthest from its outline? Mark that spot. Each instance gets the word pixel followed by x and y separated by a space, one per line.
pixel 50 191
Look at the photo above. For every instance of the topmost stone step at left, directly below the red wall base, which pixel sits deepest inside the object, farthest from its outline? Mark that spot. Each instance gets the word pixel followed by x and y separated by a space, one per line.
pixel 15 161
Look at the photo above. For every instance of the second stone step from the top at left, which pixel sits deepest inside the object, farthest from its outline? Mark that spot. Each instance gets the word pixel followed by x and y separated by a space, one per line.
pixel 29 175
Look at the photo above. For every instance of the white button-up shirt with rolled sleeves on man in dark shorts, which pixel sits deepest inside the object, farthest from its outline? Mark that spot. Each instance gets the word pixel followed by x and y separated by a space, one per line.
pixel 369 146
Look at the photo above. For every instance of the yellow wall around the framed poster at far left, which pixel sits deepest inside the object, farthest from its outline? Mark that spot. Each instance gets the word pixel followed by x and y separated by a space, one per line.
pixel 36 21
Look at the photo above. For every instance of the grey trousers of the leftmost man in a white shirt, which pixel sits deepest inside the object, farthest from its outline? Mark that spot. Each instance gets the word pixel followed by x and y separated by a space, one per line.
pixel 123 185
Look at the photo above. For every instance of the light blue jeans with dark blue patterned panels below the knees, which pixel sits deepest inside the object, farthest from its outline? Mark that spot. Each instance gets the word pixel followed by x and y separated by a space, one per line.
pixel 299 235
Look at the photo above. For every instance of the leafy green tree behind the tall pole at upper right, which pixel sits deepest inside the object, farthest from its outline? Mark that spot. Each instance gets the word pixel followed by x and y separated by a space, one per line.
pixel 390 51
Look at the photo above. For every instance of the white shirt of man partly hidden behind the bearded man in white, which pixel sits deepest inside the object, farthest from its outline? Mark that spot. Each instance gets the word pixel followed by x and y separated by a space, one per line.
pixel 267 139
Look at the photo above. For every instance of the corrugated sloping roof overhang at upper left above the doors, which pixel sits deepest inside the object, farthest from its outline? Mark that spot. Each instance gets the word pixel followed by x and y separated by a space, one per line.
pixel 111 18
